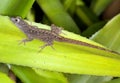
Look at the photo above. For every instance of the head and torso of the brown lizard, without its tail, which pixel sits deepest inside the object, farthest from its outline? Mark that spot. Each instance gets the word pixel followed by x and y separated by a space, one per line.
pixel 35 32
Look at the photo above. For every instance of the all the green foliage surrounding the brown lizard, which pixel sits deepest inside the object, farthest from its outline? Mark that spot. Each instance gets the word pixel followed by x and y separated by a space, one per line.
pixel 79 64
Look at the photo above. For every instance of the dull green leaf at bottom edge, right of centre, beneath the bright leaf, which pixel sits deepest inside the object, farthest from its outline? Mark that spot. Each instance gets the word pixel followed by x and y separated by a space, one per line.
pixel 87 79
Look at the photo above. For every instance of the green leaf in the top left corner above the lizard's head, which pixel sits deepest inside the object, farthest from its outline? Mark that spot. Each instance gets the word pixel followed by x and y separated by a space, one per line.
pixel 20 8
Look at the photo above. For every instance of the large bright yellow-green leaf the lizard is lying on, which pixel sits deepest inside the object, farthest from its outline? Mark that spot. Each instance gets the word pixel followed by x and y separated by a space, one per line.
pixel 77 59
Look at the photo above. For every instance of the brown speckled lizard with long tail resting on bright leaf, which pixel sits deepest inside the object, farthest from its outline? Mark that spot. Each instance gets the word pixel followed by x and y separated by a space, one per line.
pixel 48 36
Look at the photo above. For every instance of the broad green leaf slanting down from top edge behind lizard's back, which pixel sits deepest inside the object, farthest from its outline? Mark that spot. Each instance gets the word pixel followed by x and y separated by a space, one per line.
pixel 57 14
